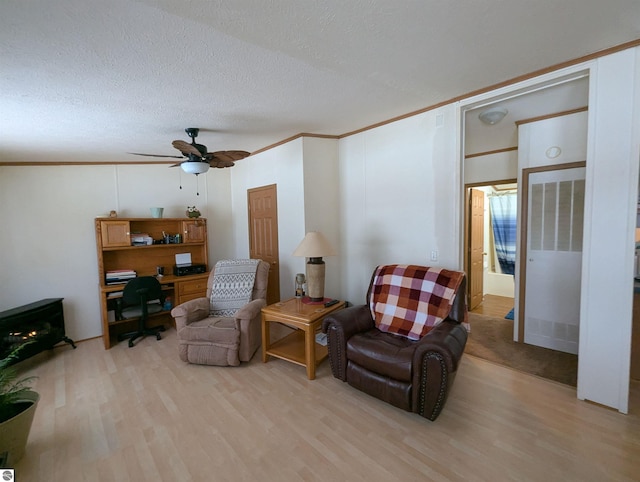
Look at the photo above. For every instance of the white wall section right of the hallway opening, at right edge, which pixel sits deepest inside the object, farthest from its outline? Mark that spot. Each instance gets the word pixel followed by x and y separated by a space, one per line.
pixel 607 270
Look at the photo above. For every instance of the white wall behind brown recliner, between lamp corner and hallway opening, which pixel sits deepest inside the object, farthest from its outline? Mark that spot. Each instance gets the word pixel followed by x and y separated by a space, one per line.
pixel 399 186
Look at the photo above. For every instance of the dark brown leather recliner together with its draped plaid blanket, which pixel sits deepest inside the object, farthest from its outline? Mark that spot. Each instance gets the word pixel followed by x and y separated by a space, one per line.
pixel 405 344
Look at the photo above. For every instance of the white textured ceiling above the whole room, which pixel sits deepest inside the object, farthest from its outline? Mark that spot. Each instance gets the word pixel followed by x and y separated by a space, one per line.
pixel 90 80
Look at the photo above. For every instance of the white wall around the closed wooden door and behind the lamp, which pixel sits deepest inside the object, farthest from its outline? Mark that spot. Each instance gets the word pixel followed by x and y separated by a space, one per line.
pixel 306 177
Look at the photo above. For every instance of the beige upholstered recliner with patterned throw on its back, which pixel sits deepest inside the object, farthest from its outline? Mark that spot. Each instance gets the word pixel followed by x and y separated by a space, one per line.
pixel 224 328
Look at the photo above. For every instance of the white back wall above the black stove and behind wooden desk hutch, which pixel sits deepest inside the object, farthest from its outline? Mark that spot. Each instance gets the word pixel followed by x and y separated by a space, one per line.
pixel 47 244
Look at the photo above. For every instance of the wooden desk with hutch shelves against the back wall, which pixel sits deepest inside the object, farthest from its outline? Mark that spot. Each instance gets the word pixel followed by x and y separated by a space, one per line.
pixel 114 239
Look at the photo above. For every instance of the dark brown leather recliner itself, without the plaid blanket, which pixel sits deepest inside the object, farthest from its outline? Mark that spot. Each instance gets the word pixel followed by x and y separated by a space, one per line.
pixel 413 375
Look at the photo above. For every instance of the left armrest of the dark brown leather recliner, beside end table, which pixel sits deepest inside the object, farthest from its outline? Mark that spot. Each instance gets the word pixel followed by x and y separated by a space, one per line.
pixel 339 327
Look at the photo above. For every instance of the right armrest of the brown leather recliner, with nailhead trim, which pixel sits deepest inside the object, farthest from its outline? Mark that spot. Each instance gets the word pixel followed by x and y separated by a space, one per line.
pixel 435 363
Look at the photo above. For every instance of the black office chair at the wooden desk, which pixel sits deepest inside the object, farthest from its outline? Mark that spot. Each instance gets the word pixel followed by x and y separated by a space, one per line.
pixel 140 297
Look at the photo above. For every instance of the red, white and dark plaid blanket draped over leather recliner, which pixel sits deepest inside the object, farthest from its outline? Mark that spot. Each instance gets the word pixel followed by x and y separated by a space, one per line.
pixel 410 300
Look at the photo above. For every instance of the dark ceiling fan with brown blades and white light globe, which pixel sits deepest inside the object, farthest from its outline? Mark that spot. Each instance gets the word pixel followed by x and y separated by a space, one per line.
pixel 198 160
